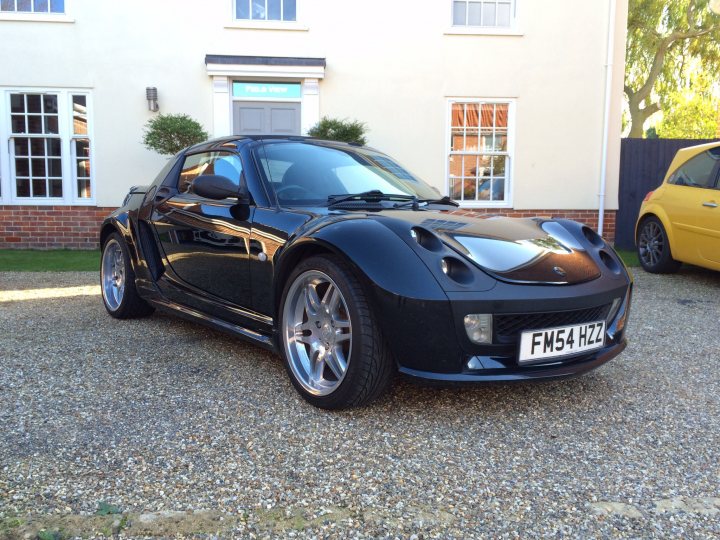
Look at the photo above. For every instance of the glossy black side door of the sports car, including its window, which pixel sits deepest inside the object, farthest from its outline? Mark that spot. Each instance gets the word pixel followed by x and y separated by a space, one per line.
pixel 206 241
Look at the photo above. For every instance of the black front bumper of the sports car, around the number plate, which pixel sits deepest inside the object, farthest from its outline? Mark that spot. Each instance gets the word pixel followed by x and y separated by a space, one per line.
pixel 429 342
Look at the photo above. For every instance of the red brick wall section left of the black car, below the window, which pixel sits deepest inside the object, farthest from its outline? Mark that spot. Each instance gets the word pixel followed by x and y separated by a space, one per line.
pixel 44 227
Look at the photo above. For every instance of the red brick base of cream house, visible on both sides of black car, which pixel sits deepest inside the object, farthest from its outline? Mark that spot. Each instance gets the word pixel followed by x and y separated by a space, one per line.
pixel 78 227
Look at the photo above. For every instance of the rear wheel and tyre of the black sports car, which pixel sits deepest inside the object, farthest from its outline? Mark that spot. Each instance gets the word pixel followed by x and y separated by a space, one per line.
pixel 117 281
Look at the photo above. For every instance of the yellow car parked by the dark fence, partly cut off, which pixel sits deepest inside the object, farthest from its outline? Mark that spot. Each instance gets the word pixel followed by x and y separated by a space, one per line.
pixel 679 222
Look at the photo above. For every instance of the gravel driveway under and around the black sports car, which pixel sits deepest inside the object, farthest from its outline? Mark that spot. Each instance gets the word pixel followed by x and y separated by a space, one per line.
pixel 171 429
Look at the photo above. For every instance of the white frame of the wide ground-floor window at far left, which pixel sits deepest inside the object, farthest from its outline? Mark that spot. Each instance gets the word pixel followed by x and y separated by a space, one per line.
pixel 70 197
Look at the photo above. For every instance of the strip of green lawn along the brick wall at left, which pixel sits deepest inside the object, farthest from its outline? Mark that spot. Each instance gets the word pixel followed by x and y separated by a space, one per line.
pixel 55 260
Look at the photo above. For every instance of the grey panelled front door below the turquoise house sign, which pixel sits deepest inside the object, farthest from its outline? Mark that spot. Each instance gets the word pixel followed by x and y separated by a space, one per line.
pixel 266 118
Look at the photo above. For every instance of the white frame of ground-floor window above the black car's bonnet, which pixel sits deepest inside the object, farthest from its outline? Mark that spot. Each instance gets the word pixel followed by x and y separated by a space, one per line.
pixel 509 167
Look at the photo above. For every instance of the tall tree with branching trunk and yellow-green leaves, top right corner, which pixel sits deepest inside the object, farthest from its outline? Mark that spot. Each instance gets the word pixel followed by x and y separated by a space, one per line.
pixel 662 39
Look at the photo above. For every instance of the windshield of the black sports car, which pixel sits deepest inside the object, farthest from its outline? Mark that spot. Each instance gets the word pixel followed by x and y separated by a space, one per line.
pixel 307 173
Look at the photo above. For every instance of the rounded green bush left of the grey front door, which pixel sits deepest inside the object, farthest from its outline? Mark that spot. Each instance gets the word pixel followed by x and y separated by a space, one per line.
pixel 167 134
